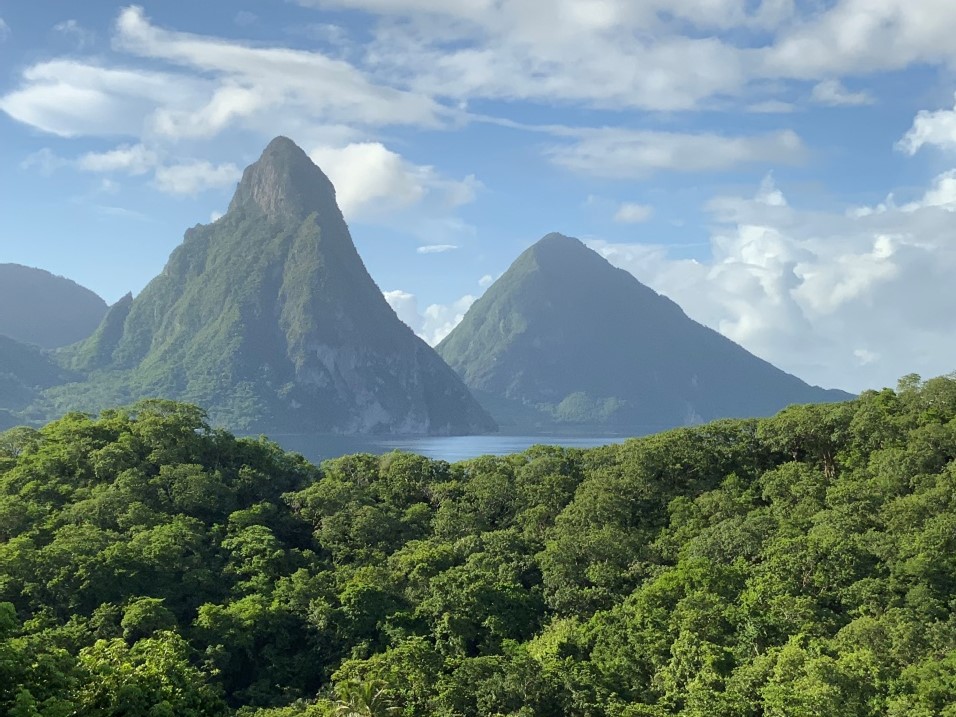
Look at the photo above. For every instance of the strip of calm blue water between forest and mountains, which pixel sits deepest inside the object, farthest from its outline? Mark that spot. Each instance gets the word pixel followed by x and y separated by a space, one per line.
pixel 452 448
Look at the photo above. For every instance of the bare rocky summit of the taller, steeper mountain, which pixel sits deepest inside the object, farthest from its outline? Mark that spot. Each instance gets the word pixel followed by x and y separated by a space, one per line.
pixel 284 182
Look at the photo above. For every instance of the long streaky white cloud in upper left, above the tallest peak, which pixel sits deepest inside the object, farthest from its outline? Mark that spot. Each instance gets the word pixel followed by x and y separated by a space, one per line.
pixel 219 84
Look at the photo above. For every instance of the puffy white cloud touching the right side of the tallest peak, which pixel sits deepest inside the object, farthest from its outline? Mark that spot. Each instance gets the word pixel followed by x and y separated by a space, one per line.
pixel 371 181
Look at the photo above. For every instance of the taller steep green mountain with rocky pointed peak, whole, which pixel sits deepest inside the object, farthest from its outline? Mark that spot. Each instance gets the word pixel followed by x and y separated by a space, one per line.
pixel 269 319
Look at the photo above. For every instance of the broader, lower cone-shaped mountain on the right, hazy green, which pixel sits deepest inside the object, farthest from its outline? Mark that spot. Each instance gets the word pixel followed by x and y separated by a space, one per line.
pixel 564 339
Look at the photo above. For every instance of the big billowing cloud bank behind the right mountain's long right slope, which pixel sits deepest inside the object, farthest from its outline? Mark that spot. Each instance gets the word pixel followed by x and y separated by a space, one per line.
pixel 850 300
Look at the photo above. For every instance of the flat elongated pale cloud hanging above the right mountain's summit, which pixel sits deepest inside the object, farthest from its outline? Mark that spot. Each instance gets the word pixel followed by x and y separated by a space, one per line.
pixel 625 154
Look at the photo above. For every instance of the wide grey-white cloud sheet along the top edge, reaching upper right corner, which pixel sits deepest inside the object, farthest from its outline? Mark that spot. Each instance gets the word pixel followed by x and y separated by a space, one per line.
pixel 656 54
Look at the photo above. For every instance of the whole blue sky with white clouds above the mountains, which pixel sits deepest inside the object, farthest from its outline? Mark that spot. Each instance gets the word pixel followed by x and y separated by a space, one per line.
pixel 785 170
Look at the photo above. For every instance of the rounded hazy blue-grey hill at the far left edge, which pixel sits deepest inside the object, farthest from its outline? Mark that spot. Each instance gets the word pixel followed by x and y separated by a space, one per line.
pixel 43 309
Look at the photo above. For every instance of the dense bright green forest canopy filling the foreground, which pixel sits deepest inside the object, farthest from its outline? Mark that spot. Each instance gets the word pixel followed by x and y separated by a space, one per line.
pixel 798 565
